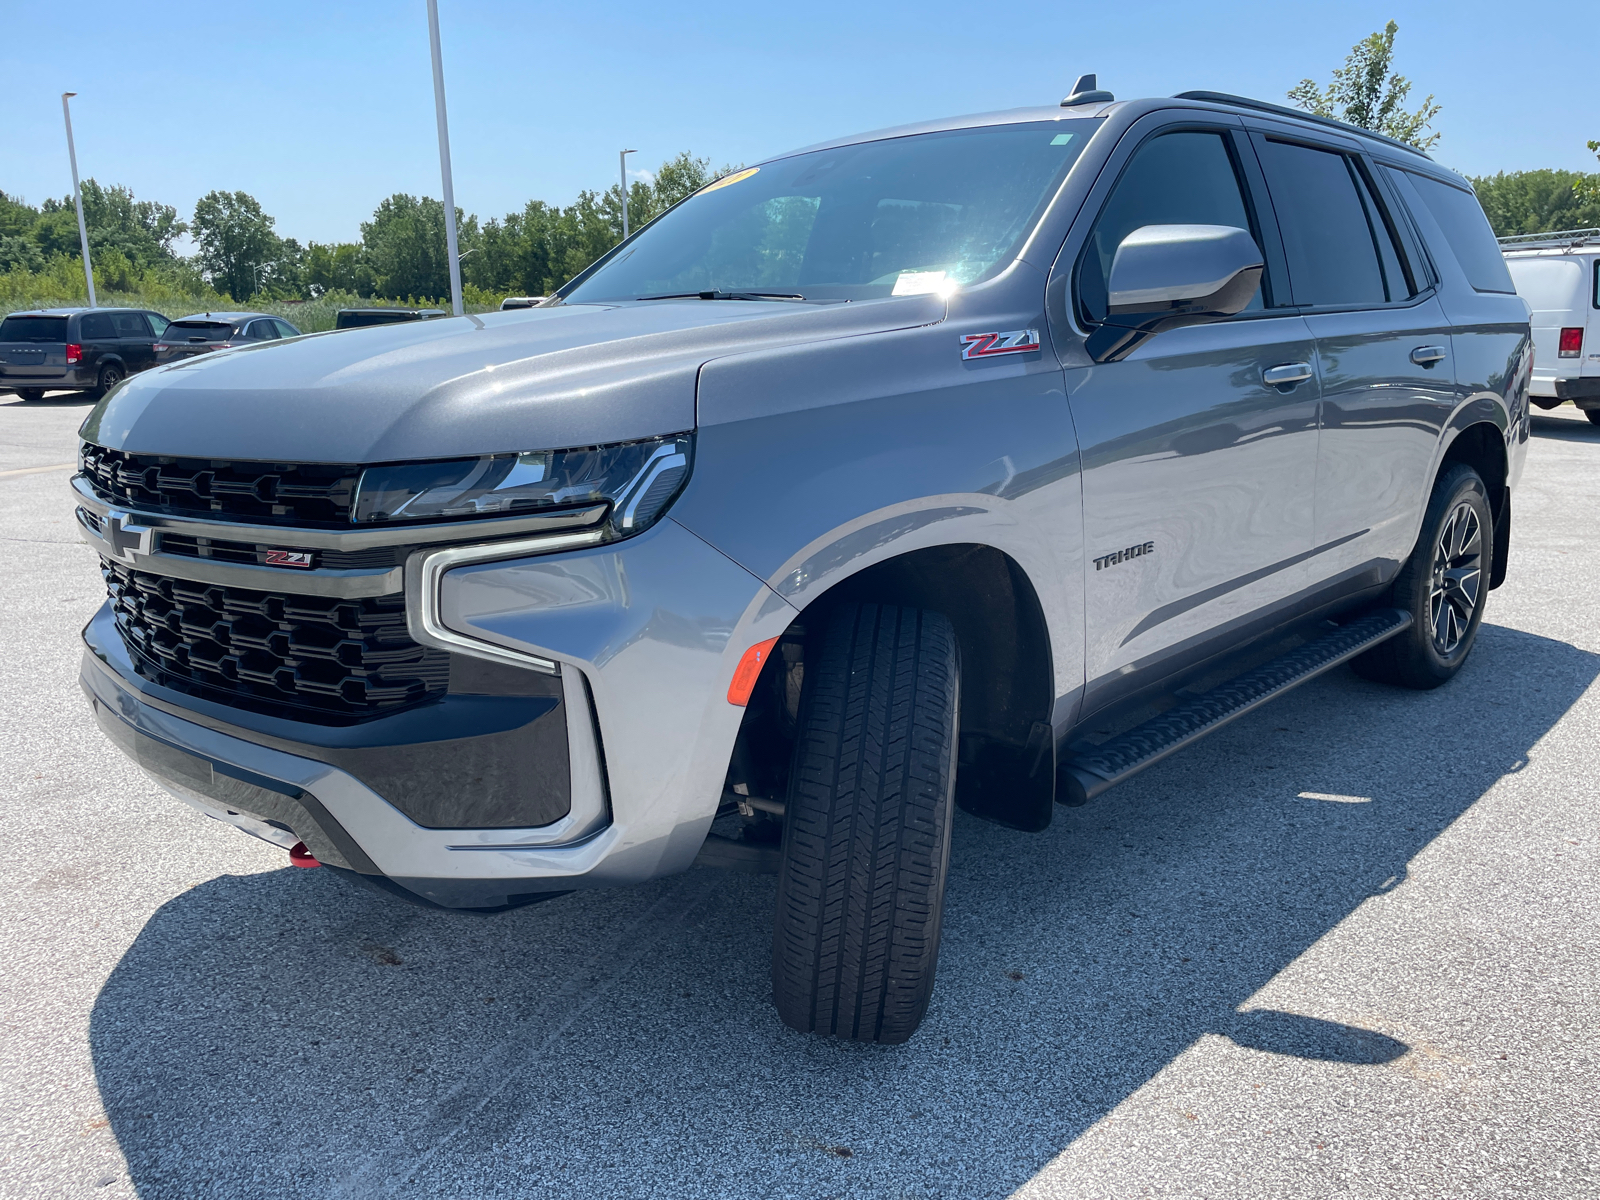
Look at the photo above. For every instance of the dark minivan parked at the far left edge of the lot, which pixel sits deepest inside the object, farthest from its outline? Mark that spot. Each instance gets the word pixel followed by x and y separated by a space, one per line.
pixel 76 350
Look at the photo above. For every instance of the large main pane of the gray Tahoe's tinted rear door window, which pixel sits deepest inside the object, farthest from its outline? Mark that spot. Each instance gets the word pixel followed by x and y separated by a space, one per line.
pixel 1324 217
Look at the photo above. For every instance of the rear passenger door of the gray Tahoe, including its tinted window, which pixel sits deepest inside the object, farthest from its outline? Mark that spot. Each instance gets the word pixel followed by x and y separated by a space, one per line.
pixel 1383 345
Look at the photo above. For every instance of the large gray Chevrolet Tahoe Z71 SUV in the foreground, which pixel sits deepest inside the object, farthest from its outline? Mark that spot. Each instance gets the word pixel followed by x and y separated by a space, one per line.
pixel 978 463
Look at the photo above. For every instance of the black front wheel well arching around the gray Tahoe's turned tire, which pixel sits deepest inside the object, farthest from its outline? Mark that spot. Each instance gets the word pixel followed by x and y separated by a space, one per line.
pixel 1007 751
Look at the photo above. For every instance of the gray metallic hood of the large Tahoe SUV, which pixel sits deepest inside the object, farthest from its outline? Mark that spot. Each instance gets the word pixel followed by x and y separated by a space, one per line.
pixel 452 388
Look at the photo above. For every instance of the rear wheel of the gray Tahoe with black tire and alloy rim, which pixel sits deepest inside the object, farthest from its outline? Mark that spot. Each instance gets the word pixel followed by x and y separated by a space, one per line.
pixel 1444 585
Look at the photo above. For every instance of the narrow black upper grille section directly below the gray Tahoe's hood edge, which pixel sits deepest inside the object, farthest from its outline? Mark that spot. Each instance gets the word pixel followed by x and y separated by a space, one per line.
pixel 290 494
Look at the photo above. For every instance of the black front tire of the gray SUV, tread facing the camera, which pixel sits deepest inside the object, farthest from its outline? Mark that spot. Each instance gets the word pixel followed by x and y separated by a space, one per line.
pixel 868 826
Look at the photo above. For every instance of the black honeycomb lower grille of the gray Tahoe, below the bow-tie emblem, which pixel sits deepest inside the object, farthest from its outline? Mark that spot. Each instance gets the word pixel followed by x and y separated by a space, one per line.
pixel 316 657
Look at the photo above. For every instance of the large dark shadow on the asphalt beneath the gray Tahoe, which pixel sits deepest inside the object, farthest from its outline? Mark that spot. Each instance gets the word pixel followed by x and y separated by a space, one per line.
pixel 284 1034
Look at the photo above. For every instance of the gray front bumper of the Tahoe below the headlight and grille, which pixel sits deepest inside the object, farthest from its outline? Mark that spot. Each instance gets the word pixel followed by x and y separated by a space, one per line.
pixel 644 634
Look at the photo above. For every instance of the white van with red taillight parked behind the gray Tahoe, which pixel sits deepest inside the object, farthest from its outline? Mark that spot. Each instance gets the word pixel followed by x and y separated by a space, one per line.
pixel 1559 276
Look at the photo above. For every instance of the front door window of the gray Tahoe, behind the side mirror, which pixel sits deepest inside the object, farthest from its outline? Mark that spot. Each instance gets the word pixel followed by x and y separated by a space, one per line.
pixel 1174 180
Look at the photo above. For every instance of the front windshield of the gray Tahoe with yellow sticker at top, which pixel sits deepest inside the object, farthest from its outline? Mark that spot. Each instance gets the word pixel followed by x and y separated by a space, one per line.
pixel 889 218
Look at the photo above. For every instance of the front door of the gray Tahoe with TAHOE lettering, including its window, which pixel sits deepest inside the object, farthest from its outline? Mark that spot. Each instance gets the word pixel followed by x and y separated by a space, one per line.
pixel 1198 473
